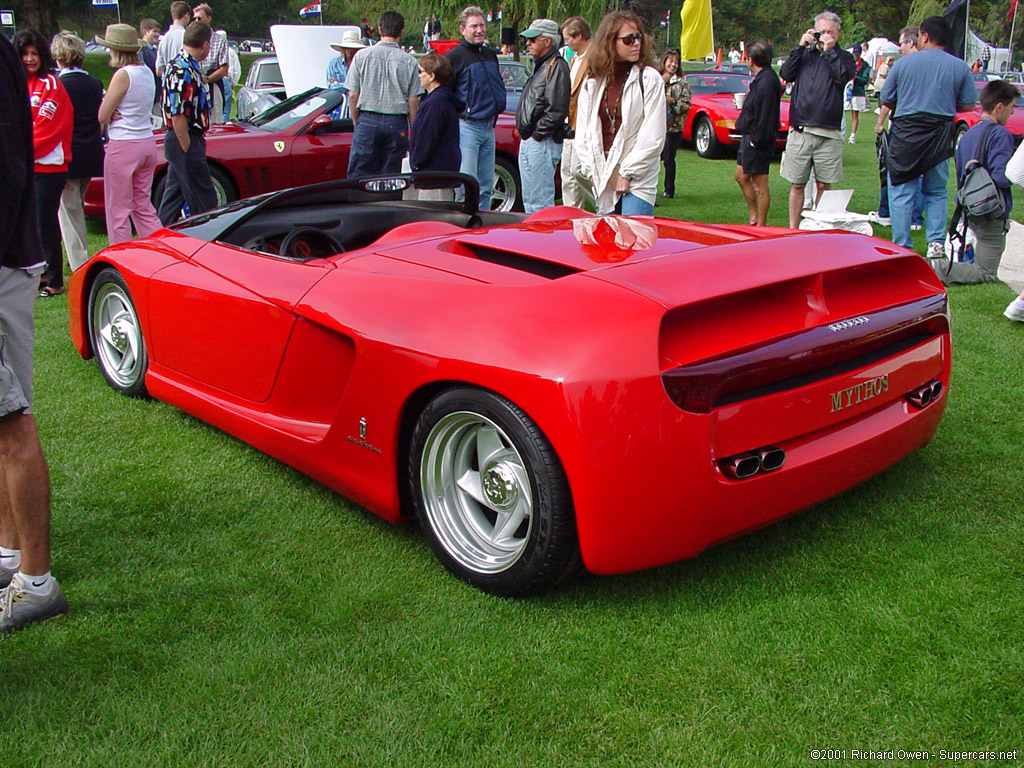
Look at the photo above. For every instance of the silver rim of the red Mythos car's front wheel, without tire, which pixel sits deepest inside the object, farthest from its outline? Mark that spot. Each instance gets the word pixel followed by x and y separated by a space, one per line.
pixel 117 336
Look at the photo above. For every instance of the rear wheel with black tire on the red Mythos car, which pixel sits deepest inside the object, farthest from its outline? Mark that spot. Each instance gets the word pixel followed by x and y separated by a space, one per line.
pixel 506 528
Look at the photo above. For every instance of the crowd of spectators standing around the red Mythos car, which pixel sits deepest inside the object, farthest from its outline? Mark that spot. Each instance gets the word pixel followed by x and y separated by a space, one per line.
pixel 595 105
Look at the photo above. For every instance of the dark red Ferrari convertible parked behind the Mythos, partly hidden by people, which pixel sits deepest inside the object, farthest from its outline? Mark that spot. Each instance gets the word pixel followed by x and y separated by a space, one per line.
pixel 296 143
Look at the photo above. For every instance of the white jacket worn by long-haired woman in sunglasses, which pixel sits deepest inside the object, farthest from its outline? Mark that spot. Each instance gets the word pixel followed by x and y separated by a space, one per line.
pixel 636 151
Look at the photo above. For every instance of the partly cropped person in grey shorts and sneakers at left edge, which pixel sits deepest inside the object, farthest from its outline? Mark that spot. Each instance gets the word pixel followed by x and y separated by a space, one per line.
pixel 29 592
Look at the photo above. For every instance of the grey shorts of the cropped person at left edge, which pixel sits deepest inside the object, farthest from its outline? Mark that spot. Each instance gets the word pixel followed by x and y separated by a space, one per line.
pixel 18 302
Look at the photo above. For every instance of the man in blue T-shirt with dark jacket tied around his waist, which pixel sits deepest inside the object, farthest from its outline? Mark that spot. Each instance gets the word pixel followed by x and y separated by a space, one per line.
pixel 925 93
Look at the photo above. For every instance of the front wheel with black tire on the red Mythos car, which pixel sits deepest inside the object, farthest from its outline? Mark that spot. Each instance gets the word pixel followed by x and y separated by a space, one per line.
pixel 116 335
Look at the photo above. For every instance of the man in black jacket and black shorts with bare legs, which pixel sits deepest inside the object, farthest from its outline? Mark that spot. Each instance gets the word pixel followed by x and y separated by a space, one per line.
pixel 759 123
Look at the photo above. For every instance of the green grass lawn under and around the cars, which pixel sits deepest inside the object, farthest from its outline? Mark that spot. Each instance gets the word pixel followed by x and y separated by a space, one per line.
pixel 226 611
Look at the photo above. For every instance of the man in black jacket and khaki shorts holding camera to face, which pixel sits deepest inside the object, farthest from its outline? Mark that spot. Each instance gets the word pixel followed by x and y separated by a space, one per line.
pixel 820 71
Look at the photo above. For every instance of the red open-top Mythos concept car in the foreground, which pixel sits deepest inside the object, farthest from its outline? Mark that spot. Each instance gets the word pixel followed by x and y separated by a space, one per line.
pixel 542 393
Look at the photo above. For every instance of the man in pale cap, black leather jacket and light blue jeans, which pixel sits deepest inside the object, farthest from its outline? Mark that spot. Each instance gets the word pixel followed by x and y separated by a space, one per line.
pixel 544 107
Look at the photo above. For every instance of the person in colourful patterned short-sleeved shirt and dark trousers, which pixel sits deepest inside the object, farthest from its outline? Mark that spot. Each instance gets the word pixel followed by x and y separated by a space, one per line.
pixel 187 110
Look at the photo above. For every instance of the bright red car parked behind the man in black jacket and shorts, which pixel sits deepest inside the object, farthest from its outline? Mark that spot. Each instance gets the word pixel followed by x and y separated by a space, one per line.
pixel 711 123
